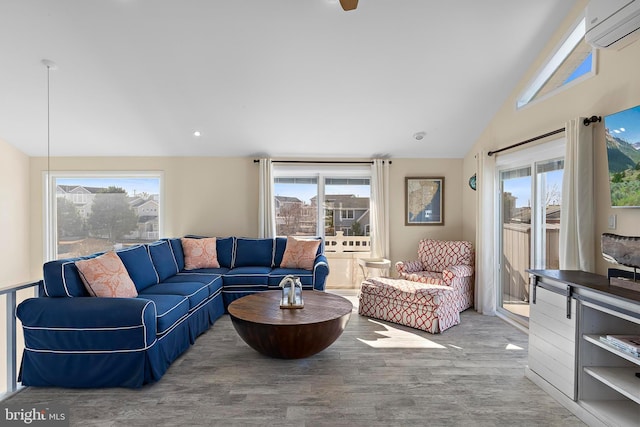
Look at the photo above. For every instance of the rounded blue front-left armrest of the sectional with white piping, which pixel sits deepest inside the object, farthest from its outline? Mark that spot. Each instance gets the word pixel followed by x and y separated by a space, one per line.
pixel 87 324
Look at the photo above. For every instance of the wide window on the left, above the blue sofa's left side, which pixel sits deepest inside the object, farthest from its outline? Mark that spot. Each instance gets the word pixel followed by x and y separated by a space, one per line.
pixel 96 212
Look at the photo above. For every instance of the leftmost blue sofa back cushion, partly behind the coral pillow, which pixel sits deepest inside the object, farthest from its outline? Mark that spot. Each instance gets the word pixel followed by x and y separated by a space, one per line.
pixel 62 279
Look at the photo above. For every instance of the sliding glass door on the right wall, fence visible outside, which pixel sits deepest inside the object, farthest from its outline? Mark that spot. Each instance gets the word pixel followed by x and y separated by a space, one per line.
pixel 530 186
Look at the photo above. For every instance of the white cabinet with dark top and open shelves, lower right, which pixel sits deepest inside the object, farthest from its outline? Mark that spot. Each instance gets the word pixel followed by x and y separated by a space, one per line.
pixel 591 378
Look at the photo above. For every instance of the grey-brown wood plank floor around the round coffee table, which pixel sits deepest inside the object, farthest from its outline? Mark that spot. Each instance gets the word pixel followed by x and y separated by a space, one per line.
pixel 375 374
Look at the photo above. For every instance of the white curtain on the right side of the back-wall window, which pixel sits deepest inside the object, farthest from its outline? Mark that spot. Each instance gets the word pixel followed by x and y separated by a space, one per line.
pixel 380 208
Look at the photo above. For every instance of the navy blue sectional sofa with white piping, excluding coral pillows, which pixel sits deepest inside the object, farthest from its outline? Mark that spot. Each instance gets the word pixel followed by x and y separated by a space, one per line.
pixel 75 340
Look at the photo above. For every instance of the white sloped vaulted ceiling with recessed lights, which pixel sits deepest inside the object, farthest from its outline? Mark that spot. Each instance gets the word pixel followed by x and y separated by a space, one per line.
pixel 285 78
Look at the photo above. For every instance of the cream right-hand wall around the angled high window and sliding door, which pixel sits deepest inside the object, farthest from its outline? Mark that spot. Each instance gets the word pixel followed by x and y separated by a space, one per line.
pixel 615 87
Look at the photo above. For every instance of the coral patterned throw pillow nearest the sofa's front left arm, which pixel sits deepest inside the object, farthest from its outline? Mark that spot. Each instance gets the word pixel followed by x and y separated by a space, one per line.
pixel 106 276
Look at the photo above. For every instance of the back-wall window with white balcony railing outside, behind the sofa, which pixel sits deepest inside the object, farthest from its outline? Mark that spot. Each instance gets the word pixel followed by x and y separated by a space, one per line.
pixel 330 201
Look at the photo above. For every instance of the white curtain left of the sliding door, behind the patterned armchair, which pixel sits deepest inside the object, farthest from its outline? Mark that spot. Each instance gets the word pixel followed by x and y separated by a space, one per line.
pixel 486 280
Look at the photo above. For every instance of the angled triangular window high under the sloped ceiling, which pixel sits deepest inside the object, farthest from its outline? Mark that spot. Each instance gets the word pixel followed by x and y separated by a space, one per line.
pixel 571 62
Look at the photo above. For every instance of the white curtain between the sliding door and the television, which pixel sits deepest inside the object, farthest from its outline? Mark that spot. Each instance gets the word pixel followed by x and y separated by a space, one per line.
pixel 577 236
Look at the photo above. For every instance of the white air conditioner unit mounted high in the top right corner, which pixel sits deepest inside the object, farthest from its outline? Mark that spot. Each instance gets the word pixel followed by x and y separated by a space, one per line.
pixel 612 23
